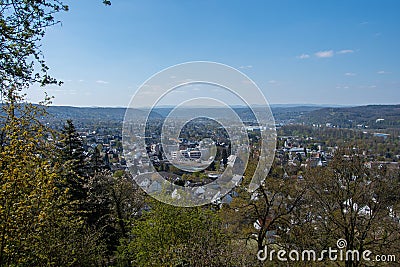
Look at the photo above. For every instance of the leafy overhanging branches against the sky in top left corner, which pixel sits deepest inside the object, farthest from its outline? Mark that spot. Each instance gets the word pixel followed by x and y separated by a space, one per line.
pixel 22 26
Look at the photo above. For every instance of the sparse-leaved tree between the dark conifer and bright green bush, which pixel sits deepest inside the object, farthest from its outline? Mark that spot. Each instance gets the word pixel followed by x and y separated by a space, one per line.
pixel 112 202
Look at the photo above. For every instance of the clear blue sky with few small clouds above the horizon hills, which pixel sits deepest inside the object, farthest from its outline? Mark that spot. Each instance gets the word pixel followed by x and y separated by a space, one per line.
pixel 321 52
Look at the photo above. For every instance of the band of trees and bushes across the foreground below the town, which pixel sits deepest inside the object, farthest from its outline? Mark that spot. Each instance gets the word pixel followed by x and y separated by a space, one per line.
pixel 62 207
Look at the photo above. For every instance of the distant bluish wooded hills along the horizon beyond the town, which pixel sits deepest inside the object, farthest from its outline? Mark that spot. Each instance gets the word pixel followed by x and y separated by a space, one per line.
pixel 371 116
